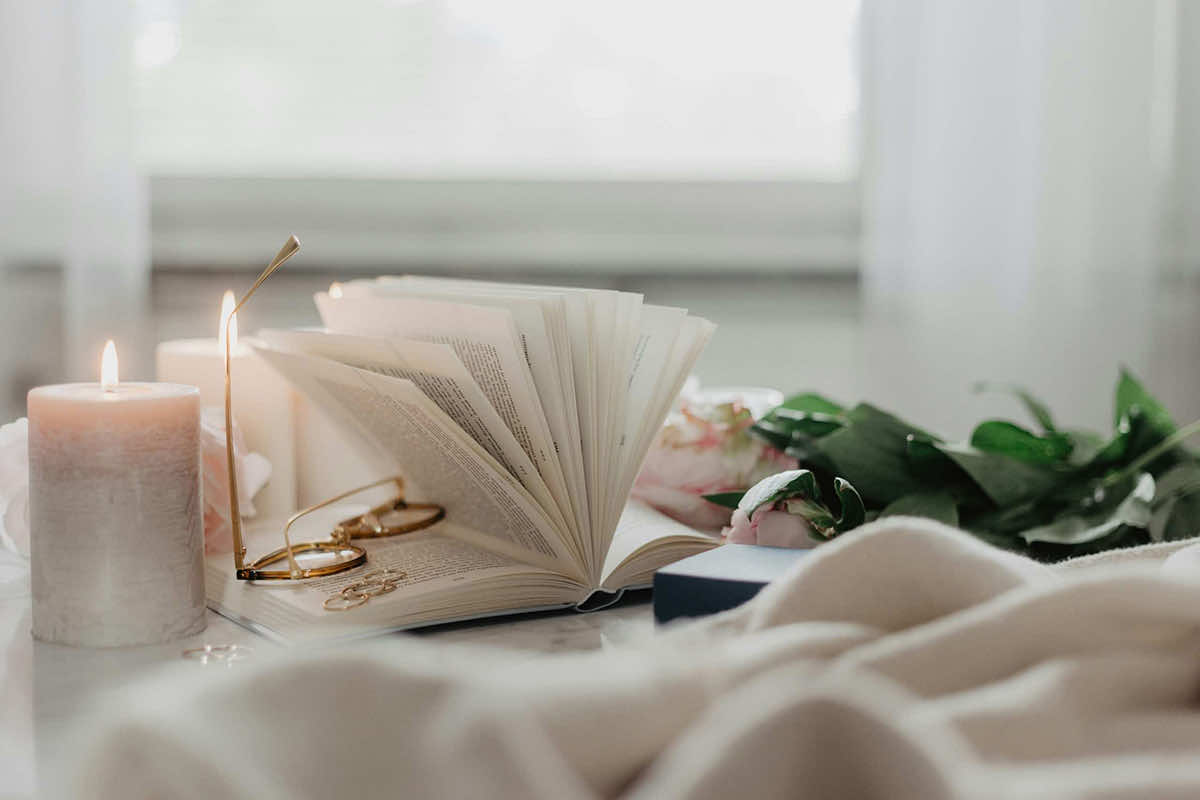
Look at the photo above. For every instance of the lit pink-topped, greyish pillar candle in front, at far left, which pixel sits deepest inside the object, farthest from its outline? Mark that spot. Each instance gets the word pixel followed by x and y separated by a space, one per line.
pixel 117 536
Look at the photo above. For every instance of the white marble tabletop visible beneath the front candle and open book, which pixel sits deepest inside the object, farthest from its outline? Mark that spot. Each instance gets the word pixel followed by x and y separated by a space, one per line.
pixel 46 689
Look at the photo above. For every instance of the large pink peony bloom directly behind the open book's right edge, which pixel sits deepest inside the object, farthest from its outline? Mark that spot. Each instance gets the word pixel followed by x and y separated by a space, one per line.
pixel 706 448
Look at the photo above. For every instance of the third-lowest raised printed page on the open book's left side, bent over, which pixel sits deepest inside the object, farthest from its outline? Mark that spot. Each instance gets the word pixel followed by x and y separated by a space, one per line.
pixel 487 344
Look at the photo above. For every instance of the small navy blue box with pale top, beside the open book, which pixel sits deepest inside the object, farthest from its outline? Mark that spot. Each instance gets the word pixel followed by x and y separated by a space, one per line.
pixel 718 580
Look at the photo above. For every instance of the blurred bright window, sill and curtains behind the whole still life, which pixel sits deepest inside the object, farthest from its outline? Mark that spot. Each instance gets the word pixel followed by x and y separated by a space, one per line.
pixel 875 200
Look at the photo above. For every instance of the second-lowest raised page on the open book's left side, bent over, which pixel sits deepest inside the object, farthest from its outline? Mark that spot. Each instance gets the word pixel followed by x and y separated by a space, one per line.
pixel 437 372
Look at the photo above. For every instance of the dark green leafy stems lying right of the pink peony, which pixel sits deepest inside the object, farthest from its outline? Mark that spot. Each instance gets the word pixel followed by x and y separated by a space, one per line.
pixel 1053 494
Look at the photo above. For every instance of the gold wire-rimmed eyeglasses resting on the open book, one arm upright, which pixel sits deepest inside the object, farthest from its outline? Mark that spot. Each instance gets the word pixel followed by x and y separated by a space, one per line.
pixel 338 554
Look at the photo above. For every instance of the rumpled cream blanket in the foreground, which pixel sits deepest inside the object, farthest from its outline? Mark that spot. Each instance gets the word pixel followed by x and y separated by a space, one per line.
pixel 904 660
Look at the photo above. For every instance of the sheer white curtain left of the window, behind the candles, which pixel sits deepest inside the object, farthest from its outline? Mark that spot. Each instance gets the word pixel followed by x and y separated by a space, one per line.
pixel 70 191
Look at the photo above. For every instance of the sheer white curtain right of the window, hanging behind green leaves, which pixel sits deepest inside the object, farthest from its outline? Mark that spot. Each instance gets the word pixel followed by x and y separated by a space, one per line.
pixel 1025 177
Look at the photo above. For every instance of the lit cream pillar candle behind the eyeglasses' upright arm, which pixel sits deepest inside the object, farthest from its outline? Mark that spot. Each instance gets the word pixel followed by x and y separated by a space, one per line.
pixel 262 404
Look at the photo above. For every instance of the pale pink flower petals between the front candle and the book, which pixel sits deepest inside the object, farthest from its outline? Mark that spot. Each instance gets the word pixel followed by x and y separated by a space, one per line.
pixel 254 472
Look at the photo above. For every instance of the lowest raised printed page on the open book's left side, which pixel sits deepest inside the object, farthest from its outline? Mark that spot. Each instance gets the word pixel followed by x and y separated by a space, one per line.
pixel 424 443
